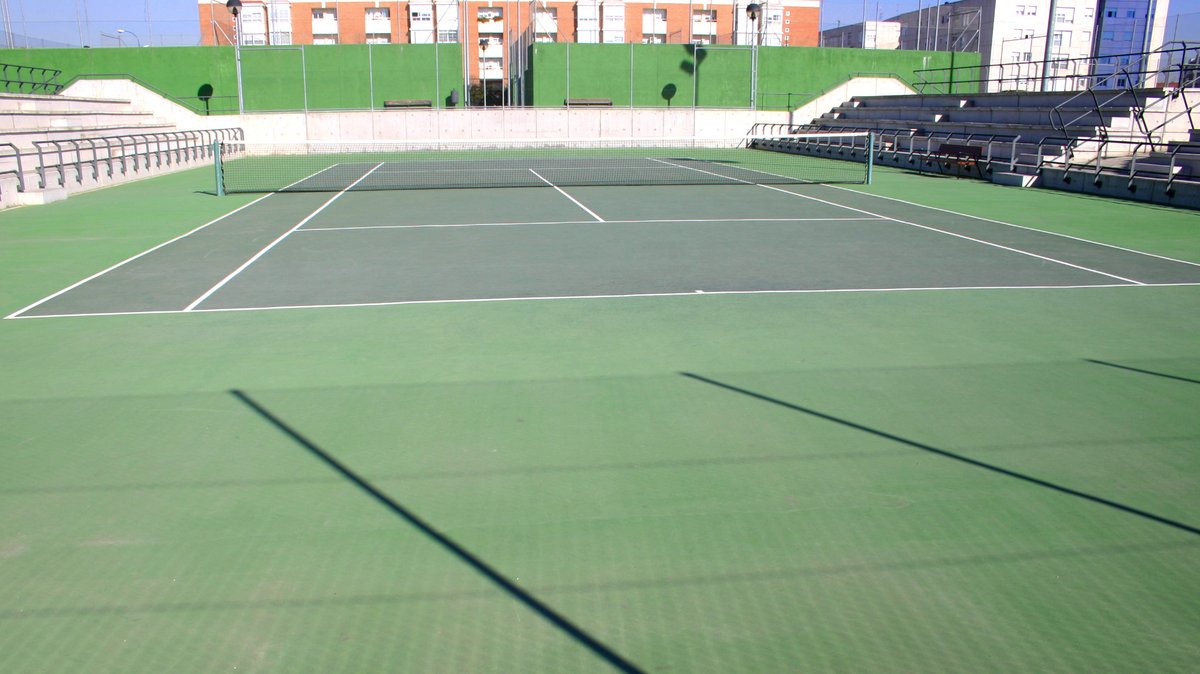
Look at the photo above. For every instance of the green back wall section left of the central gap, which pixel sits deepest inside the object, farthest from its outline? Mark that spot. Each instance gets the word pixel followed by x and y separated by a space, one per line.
pixel 328 77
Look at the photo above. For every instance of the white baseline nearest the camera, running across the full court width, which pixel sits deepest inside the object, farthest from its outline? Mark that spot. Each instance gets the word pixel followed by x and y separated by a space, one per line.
pixel 631 296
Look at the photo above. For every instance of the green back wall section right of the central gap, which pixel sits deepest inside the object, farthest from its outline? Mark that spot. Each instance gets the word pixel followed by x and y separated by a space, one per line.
pixel 718 77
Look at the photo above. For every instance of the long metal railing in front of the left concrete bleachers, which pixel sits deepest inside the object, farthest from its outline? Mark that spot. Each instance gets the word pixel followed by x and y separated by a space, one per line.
pixel 125 154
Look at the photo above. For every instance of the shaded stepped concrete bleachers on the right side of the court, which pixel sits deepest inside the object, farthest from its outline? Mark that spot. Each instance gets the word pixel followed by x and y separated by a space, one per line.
pixel 1024 136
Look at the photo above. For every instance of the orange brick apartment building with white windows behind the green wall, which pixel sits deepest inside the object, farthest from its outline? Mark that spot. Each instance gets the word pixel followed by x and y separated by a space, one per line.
pixel 493 29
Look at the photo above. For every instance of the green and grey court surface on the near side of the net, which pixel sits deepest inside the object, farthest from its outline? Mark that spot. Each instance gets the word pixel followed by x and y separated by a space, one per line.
pixel 927 425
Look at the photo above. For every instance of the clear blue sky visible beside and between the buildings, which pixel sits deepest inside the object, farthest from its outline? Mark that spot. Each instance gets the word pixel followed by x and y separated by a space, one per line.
pixel 176 22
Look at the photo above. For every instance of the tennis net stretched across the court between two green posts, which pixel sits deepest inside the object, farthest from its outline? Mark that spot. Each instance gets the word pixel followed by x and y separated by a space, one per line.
pixel 429 165
